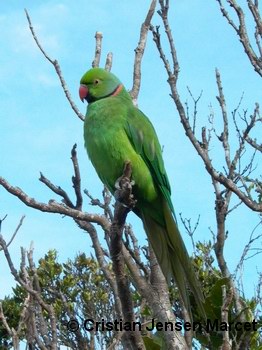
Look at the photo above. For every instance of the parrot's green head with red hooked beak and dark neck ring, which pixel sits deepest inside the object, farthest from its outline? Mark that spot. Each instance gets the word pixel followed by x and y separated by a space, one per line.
pixel 97 83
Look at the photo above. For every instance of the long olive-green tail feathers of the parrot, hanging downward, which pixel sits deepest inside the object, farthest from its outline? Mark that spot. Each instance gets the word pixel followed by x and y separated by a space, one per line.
pixel 172 256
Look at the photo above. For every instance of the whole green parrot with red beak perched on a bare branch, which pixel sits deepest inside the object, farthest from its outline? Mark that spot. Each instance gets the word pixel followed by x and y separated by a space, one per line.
pixel 115 131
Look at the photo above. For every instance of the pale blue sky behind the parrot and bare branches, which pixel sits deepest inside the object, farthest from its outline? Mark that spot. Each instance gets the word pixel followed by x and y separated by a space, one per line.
pixel 38 127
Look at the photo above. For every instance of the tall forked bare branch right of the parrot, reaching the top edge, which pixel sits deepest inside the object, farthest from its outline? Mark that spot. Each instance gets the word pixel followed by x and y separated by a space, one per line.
pixel 222 202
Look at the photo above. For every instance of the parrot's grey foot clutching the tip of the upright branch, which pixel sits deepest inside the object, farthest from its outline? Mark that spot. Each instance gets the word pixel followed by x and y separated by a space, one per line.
pixel 123 186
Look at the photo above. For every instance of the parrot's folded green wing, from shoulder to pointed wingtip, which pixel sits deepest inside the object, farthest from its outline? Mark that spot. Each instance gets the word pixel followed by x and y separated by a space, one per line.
pixel 143 137
